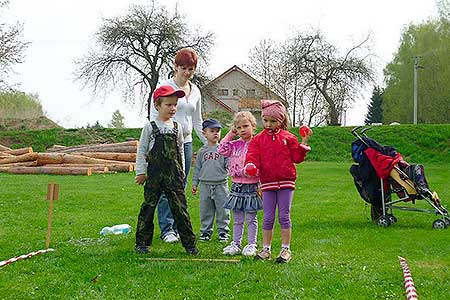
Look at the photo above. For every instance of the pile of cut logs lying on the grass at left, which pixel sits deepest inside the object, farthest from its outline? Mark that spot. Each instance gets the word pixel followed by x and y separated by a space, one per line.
pixel 77 160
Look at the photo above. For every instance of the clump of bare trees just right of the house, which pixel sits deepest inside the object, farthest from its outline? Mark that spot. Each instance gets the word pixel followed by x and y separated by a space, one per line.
pixel 306 64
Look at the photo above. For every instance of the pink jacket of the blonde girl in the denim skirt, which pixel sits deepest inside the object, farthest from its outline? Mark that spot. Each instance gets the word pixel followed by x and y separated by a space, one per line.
pixel 236 151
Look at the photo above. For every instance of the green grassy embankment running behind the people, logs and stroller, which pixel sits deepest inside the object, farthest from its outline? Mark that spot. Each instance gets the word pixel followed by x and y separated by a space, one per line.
pixel 419 144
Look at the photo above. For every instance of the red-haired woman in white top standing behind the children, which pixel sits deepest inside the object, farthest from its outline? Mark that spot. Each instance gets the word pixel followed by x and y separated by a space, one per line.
pixel 189 116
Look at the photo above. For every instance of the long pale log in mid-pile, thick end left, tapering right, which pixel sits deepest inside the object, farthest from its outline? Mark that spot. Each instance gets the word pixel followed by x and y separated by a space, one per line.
pixel 64 158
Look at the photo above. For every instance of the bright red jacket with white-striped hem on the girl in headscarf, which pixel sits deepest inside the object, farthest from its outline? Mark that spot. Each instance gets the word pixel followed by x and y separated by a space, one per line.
pixel 275 155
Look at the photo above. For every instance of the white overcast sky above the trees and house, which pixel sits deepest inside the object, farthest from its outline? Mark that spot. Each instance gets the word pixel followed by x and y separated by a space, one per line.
pixel 61 31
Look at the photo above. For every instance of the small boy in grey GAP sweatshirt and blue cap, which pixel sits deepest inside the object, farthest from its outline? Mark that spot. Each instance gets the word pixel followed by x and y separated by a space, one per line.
pixel 211 172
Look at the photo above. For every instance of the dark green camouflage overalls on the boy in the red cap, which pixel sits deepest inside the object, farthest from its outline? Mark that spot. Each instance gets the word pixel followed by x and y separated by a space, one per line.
pixel 164 174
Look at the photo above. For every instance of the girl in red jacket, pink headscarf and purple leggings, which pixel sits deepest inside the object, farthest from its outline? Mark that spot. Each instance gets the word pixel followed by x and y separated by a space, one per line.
pixel 274 153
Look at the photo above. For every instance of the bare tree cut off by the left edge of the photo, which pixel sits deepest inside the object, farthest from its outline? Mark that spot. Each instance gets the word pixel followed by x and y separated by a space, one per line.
pixel 12 48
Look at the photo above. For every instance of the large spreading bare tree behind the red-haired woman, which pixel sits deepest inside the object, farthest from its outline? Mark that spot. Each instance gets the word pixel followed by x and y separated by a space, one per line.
pixel 132 51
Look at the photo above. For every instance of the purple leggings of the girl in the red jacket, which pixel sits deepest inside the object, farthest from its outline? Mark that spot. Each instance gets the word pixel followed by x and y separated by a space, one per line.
pixel 281 198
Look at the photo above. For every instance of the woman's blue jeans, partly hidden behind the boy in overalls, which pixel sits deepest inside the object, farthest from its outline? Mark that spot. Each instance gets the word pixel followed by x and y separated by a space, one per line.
pixel 165 218
